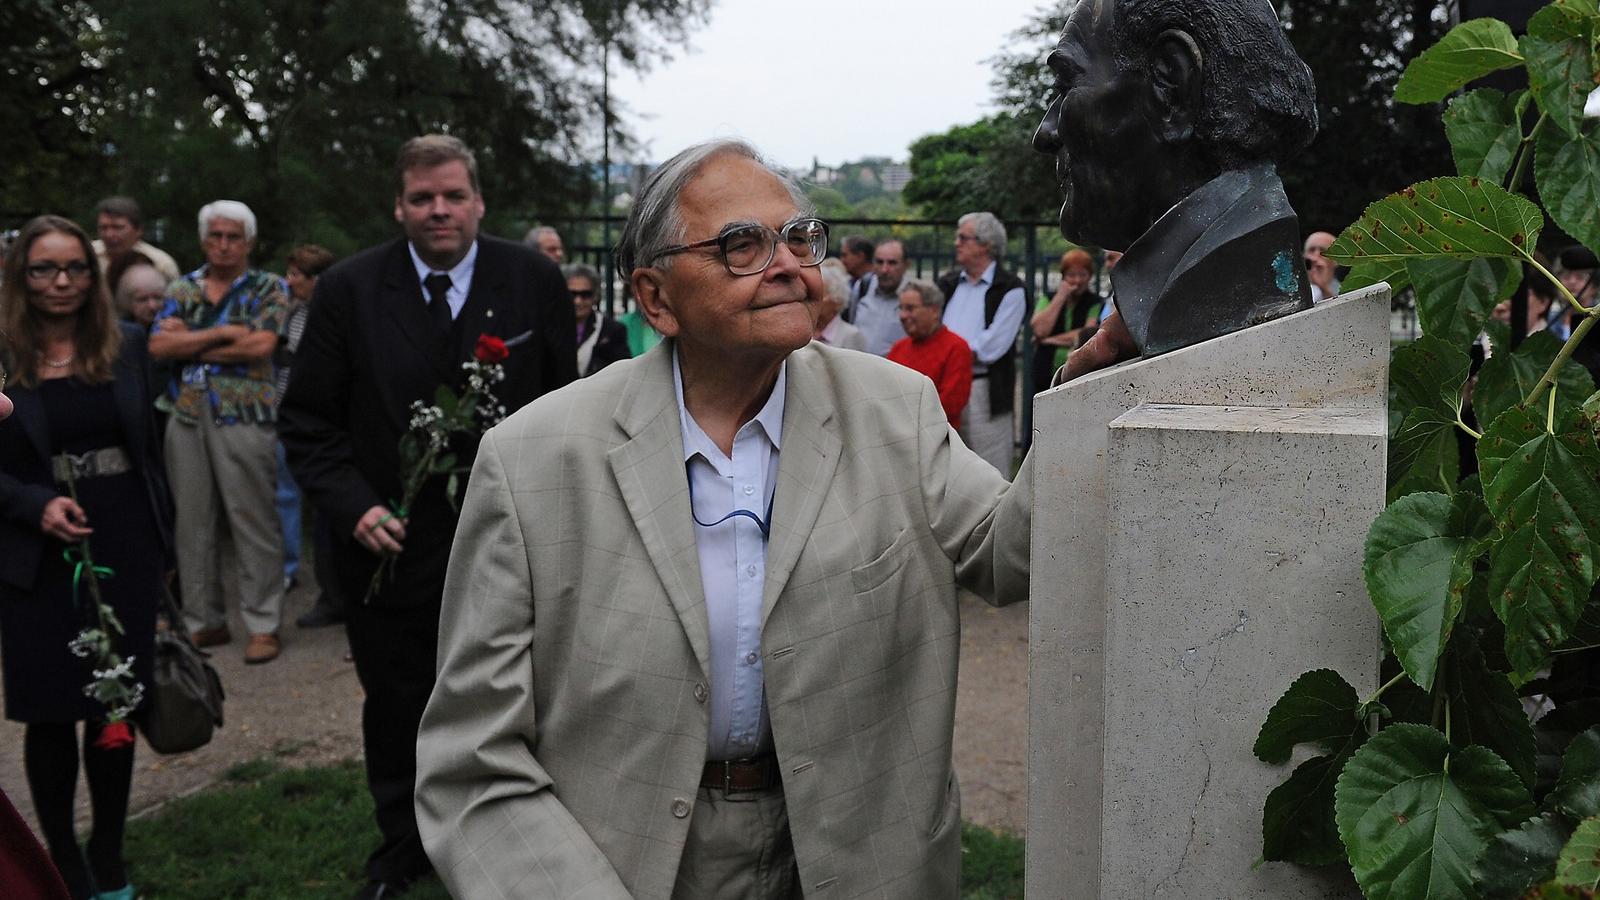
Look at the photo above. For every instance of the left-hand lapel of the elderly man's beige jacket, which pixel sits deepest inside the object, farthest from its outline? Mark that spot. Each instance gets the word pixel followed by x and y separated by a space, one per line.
pixel 650 473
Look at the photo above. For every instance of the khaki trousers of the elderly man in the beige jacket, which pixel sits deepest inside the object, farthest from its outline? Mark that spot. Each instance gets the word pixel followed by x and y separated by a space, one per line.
pixel 738 850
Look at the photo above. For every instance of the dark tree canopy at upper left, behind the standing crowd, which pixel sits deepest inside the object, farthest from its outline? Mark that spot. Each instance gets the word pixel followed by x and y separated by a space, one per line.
pixel 298 108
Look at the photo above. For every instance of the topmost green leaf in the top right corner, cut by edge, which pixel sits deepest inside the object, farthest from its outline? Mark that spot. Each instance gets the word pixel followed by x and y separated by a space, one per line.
pixel 1561 65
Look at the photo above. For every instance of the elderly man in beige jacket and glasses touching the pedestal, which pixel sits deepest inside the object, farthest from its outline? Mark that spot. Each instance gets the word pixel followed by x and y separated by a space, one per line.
pixel 700 633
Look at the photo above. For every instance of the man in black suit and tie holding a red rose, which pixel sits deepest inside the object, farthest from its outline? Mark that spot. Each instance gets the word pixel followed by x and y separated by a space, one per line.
pixel 388 327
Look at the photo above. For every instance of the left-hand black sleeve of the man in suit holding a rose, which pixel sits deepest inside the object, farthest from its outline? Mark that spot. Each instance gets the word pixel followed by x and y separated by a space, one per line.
pixel 314 417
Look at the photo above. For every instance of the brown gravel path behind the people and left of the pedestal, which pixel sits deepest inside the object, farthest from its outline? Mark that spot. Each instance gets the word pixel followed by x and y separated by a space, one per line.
pixel 305 710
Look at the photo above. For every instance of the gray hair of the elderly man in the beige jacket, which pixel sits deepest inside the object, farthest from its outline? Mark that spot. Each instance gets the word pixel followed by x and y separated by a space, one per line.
pixel 657 223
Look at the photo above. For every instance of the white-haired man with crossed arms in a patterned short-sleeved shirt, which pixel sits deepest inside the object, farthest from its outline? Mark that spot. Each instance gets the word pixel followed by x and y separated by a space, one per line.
pixel 220 327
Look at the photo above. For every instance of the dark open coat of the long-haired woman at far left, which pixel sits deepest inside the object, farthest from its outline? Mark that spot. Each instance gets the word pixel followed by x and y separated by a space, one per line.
pixel 28 484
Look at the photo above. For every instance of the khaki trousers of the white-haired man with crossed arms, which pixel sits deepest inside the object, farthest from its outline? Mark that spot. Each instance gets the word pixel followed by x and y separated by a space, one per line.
pixel 226 472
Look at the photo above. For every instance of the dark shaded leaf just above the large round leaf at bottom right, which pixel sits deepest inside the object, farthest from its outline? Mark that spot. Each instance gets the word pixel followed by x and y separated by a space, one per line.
pixel 1486 710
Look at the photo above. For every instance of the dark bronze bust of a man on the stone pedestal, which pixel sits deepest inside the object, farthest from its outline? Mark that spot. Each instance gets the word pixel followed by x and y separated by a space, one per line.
pixel 1167 126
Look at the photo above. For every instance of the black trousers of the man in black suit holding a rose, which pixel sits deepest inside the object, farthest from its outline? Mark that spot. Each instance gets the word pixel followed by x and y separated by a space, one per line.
pixel 394 653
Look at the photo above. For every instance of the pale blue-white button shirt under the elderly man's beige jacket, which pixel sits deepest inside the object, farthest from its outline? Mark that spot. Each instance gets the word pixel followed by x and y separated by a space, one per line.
pixel 734 565
